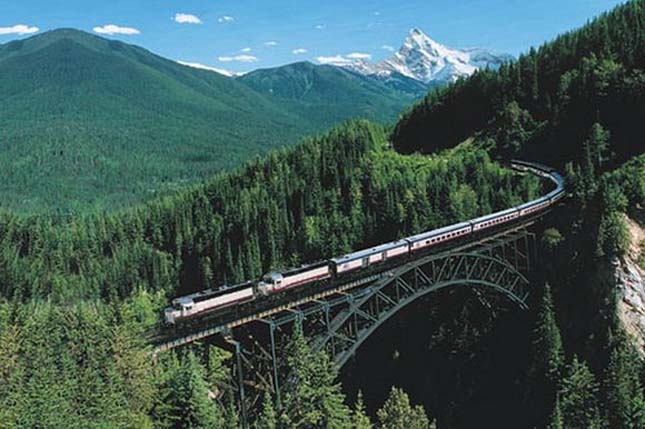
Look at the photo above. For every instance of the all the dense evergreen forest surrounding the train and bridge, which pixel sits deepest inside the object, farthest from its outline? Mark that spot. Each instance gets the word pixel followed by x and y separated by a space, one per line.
pixel 80 292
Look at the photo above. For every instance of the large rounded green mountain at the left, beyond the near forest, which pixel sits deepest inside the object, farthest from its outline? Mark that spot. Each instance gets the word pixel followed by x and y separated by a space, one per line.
pixel 91 123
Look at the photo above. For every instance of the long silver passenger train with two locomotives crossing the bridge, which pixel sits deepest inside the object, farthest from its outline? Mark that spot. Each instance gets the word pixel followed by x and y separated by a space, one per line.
pixel 273 283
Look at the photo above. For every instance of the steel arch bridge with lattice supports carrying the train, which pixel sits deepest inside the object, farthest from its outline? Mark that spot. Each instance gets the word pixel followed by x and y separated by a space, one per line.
pixel 339 321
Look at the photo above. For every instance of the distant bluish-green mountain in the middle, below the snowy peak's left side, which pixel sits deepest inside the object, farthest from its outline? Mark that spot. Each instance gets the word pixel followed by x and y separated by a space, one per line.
pixel 325 93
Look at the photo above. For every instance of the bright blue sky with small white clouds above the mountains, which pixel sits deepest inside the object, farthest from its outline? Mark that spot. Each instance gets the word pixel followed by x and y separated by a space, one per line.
pixel 242 35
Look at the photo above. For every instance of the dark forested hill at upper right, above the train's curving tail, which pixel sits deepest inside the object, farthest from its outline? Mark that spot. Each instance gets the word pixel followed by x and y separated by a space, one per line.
pixel 542 106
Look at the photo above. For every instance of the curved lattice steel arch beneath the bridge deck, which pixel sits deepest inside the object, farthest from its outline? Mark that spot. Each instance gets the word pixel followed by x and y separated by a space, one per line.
pixel 351 327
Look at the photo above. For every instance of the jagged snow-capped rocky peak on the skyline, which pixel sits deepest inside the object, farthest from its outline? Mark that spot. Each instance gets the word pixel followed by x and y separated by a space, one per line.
pixel 427 61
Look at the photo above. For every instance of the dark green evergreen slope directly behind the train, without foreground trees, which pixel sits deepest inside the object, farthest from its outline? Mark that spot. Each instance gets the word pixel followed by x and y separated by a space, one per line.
pixel 332 194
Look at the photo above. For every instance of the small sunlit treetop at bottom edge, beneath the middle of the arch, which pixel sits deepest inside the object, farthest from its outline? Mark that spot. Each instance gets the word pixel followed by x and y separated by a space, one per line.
pixel 398 413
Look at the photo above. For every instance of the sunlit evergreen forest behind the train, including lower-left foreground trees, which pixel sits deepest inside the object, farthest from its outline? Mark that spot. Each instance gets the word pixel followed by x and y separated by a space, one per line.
pixel 330 194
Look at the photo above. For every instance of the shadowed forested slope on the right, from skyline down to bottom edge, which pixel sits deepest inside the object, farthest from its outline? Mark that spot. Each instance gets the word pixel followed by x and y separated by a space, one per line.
pixel 578 101
